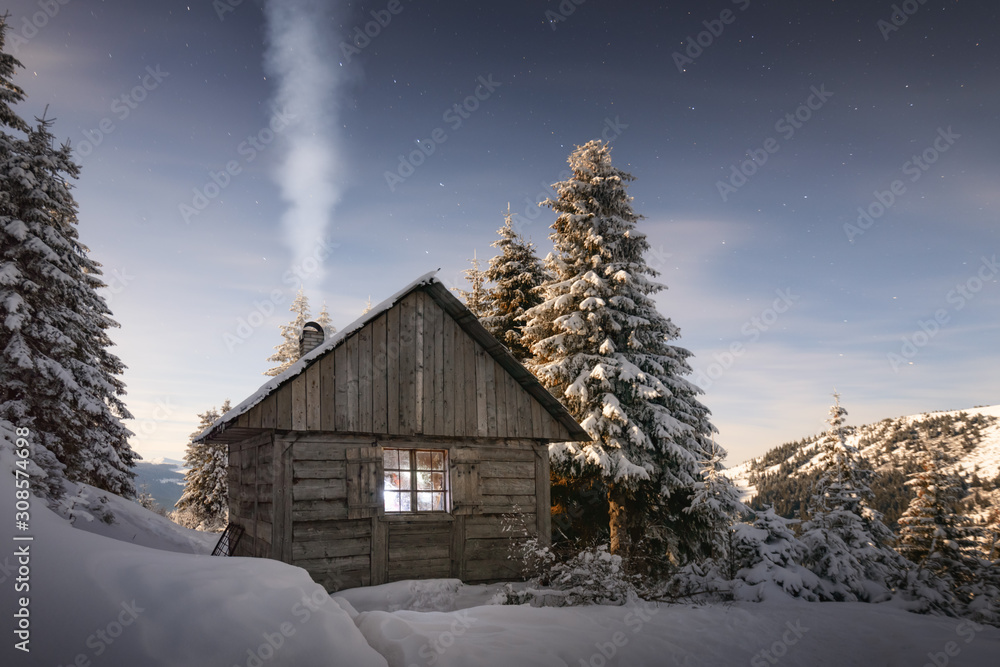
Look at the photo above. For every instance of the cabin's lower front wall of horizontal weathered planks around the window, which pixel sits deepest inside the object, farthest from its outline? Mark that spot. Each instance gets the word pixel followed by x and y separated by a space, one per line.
pixel 339 533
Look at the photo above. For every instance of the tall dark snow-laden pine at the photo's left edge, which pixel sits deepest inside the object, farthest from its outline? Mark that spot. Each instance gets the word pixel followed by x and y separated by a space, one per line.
pixel 57 376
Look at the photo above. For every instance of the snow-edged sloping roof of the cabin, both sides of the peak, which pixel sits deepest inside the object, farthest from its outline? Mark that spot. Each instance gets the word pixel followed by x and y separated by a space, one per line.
pixel 467 321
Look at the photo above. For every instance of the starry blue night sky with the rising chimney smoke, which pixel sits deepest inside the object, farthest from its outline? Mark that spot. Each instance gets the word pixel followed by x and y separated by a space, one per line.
pixel 756 131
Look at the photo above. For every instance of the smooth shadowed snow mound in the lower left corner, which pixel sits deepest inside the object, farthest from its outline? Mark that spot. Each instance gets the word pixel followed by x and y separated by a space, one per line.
pixel 92 599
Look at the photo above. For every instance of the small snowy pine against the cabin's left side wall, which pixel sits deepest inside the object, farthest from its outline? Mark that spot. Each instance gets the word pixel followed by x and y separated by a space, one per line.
pixel 205 500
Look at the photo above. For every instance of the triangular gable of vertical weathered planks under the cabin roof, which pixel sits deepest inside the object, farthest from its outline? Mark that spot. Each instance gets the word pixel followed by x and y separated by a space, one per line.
pixel 411 371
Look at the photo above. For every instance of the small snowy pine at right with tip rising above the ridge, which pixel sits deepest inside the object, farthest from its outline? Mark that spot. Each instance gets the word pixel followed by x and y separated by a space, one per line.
pixel 847 543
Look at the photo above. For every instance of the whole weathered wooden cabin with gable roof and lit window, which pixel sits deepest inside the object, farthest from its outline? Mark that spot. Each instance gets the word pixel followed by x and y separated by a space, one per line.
pixel 392 449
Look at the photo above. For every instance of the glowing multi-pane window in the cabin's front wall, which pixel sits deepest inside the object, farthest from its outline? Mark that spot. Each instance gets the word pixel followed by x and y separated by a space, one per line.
pixel 416 480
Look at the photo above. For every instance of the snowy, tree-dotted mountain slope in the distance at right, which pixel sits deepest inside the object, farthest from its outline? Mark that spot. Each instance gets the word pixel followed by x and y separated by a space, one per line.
pixel 784 476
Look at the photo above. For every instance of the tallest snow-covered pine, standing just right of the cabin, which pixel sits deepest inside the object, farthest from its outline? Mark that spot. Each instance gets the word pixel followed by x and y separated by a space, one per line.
pixel 600 346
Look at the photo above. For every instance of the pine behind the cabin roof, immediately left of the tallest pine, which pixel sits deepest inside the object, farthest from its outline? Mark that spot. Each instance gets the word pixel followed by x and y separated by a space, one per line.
pixel 516 274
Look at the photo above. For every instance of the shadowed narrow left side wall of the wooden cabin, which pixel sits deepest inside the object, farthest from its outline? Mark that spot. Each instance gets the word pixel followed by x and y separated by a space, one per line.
pixel 251 494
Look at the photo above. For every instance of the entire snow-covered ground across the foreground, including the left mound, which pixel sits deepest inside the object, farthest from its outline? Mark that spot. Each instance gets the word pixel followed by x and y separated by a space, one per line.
pixel 98 597
